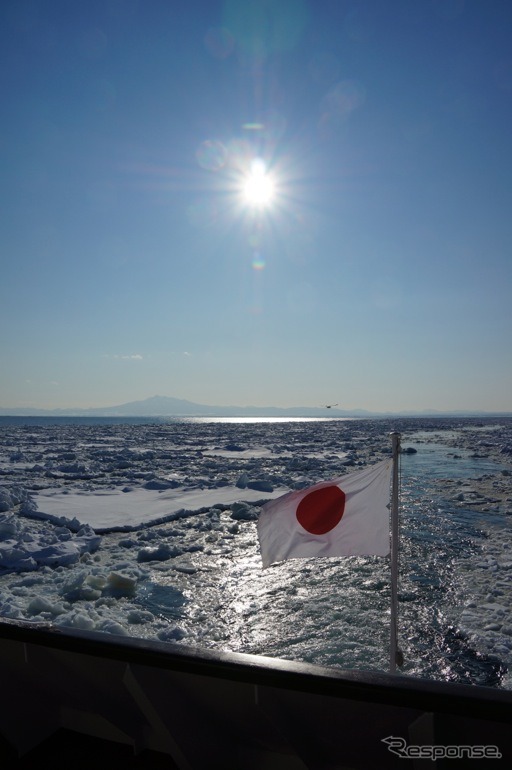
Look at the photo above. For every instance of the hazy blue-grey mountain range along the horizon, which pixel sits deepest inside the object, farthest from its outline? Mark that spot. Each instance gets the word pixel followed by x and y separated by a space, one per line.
pixel 166 406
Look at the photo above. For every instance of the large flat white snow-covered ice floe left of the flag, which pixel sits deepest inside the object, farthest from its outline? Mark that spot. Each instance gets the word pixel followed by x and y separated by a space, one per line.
pixel 108 509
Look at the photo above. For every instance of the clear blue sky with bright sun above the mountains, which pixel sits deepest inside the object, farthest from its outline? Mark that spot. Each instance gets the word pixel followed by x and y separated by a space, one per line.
pixel 256 202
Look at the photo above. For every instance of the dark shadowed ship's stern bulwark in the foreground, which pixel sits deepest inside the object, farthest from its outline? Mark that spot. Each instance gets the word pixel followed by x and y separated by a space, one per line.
pixel 71 699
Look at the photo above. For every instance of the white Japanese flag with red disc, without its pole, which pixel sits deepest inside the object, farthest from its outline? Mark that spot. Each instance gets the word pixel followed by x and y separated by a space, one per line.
pixel 347 516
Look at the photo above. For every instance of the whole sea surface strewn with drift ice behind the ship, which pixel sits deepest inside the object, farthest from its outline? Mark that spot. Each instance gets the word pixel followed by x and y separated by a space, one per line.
pixel 150 531
